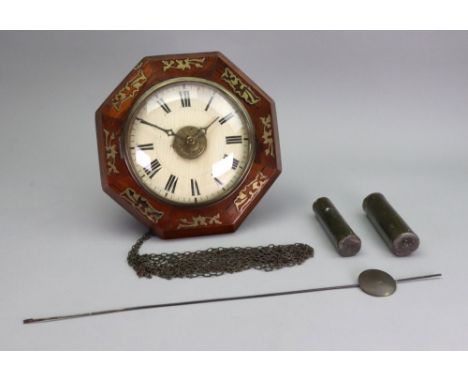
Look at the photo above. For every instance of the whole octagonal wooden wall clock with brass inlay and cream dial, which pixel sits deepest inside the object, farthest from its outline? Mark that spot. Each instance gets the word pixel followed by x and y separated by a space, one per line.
pixel 188 144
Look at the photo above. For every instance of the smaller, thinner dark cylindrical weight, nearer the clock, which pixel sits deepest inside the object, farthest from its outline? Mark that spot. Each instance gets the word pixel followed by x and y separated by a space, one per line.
pixel 346 242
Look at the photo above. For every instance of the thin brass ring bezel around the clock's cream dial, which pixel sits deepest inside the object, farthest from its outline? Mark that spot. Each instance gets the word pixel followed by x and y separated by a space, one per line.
pixel 125 148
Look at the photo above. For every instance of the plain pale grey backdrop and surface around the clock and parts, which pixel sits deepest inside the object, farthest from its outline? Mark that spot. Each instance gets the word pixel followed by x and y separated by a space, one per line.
pixel 358 112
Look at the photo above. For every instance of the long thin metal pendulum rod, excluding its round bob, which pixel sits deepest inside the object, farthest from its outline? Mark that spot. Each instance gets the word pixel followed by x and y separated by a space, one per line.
pixel 220 299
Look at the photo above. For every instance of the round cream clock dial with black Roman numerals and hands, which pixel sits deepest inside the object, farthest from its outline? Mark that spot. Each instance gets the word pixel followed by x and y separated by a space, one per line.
pixel 189 141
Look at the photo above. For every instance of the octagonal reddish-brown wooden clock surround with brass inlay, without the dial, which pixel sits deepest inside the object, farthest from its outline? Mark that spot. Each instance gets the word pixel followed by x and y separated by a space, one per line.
pixel 167 220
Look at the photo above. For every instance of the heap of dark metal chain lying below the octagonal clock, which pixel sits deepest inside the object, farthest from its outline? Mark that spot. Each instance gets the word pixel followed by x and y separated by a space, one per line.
pixel 215 261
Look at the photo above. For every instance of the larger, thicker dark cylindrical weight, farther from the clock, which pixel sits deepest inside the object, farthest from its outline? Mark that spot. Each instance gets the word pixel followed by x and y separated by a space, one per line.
pixel 398 236
